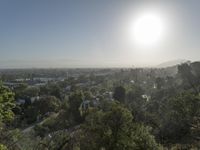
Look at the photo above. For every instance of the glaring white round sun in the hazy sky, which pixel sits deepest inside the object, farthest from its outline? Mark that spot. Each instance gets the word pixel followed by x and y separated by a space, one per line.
pixel 147 29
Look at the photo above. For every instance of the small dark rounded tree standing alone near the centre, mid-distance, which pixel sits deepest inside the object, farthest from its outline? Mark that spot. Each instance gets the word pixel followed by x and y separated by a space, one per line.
pixel 119 94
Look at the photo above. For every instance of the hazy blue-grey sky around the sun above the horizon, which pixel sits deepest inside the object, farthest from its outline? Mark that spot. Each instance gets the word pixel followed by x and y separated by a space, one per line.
pixel 94 33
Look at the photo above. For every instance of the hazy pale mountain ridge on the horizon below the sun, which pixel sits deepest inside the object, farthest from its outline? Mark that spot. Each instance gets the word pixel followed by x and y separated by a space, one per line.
pixel 172 63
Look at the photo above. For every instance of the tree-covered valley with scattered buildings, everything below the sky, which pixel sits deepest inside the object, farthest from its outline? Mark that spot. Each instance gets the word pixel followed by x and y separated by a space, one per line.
pixel 101 109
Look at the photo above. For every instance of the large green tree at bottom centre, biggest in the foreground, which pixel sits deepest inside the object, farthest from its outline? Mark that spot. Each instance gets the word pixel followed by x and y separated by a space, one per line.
pixel 115 130
